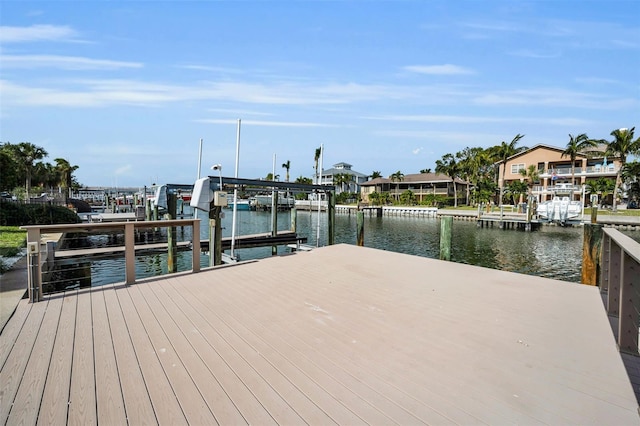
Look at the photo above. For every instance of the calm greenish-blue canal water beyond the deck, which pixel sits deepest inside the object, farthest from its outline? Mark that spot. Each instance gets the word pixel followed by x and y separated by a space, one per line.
pixel 551 251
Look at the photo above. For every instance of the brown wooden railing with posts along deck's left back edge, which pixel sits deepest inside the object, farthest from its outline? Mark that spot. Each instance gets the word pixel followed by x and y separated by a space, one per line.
pixel 35 245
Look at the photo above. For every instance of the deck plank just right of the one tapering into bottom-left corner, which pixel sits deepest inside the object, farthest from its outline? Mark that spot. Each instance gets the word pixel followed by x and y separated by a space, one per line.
pixel 28 397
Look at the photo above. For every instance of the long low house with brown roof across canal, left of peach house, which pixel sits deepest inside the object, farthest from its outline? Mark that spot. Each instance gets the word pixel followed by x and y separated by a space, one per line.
pixel 421 184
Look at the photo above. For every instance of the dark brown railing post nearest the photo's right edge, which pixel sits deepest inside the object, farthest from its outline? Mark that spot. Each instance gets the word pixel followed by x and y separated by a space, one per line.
pixel 629 305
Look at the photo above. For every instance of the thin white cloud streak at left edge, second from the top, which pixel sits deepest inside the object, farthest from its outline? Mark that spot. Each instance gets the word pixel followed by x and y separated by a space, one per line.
pixel 63 62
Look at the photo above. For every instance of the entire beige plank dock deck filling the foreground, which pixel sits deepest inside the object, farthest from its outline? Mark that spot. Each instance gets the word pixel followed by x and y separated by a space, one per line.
pixel 338 335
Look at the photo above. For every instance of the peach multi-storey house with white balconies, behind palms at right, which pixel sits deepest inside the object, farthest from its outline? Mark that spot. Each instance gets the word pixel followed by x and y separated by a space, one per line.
pixel 555 169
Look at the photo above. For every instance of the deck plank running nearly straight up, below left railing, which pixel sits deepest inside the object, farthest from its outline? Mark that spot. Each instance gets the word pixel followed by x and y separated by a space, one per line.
pixel 82 395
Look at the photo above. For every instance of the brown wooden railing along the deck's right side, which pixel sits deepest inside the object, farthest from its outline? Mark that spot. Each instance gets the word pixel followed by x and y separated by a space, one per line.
pixel 620 282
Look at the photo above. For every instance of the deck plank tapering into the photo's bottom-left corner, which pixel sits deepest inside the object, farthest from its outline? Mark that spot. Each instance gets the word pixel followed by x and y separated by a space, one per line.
pixel 16 363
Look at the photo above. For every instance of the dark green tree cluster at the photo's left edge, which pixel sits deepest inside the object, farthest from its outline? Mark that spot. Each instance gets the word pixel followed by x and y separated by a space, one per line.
pixel 23 171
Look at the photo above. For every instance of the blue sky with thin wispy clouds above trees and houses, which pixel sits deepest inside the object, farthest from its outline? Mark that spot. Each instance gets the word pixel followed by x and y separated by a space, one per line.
pixel 125 90
